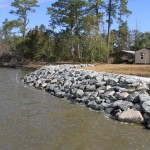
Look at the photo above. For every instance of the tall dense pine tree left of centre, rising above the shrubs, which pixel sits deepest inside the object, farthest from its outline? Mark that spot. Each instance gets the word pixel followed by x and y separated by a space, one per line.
pixel 68 14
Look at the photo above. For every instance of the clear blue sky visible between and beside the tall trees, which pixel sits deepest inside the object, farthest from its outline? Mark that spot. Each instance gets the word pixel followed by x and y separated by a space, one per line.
pixel 139 18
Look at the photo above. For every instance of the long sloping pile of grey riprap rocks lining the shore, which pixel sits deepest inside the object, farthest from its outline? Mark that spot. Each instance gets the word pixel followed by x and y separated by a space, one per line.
pixel 123 98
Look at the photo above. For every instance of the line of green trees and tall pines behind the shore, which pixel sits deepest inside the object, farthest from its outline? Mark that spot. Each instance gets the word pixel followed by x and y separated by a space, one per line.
pixel 76 31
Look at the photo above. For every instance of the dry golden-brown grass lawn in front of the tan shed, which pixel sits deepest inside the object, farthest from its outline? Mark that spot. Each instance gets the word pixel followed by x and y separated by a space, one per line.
pixel 129 69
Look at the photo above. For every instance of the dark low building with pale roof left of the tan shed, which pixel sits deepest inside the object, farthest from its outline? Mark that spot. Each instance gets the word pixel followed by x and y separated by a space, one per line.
pixel 123 56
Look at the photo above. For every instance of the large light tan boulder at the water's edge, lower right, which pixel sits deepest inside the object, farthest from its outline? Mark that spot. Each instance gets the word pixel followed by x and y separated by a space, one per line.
pixel 131 115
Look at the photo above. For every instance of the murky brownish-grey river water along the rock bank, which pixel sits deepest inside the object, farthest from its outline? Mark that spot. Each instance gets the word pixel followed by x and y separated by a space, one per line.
pixel 32 119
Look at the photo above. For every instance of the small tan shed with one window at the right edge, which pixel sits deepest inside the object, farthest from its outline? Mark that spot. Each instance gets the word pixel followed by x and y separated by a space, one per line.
pixel 142 56
